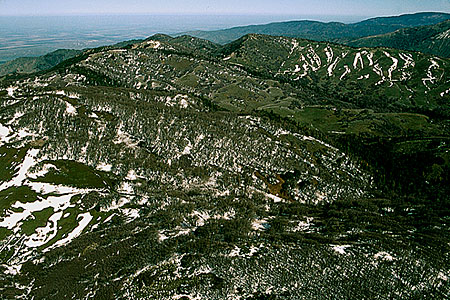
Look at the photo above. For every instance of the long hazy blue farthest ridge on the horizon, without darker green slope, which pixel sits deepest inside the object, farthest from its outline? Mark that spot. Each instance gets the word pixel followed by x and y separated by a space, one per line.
pixel 319 31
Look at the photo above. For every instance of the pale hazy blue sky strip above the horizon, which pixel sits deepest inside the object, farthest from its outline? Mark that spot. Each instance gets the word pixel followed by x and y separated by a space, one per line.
pixel 282 7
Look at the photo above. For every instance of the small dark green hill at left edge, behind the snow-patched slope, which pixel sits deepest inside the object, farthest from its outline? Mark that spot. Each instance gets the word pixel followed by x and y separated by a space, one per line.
pixel 36 64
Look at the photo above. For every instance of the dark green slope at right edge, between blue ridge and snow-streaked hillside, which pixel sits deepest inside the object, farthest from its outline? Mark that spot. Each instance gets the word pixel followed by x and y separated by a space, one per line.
pixel 434 39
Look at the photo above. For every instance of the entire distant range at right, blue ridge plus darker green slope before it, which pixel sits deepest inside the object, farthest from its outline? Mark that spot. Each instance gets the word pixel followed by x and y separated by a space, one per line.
pixel 372 32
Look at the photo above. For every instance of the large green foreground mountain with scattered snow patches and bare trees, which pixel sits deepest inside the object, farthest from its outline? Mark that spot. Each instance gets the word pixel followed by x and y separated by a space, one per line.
pixel 178 169
